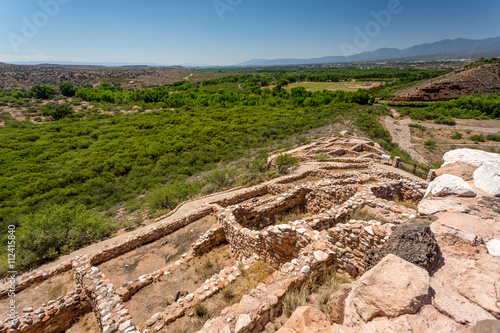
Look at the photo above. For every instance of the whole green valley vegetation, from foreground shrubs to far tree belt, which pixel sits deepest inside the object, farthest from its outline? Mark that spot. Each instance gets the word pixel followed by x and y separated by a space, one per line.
pixel 61 180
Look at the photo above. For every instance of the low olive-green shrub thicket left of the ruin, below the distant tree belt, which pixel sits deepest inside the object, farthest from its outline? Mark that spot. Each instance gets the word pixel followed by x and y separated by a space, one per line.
pixel 48 172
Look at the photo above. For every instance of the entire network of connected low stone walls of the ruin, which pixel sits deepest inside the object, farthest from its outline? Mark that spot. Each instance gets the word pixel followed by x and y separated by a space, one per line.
pixel 300 249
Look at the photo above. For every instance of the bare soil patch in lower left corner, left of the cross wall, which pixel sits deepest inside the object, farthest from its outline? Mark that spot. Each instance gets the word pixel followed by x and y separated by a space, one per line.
pixel 40 293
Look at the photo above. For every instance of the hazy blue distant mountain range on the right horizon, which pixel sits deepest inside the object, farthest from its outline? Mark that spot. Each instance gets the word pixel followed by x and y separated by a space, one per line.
pixel 445 49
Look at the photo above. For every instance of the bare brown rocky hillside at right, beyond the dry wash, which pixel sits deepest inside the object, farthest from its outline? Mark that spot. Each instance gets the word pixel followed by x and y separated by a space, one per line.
pixel 480 80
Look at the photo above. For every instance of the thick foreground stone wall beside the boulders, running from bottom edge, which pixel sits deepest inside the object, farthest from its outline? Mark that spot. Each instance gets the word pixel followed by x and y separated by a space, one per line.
pixel 255 310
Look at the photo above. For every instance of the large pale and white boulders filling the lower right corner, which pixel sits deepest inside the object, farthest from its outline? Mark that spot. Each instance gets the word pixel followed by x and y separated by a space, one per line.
pixel 452 285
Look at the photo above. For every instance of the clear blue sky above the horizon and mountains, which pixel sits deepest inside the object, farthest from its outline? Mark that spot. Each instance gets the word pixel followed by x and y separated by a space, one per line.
pixel 194 31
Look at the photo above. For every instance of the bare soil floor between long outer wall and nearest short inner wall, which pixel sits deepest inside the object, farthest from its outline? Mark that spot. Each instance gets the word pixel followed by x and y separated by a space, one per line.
pixel 156 255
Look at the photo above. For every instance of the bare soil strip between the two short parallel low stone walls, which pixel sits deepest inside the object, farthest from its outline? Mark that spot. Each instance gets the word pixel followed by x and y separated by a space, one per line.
pixel 157 296
